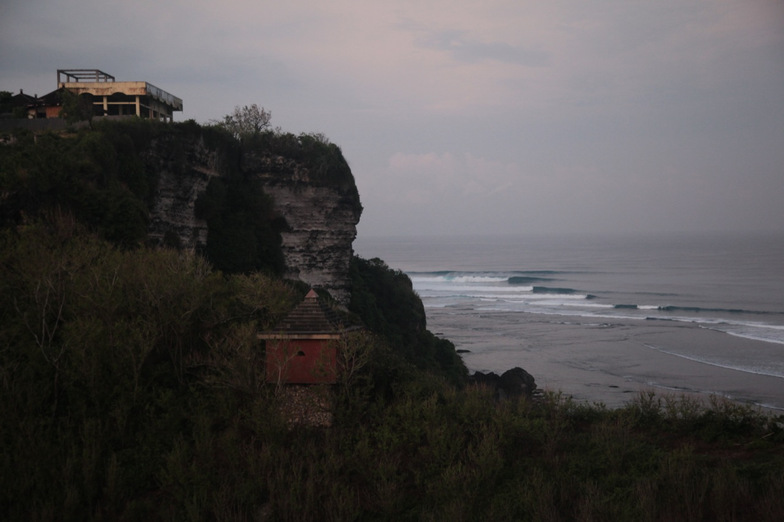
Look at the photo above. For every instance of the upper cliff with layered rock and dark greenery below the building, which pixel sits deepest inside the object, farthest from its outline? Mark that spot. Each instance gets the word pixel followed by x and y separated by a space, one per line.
pixel 279 203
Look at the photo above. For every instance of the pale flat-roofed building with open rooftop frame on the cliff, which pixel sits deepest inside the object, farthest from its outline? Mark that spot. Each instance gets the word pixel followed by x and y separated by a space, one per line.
pixel 113 98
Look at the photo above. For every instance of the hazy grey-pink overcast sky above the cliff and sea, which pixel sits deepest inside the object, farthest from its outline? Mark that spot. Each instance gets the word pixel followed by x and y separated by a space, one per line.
pixel 469 116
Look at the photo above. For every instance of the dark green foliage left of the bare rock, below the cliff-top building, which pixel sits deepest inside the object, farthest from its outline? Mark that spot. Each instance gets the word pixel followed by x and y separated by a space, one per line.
pixel 96 176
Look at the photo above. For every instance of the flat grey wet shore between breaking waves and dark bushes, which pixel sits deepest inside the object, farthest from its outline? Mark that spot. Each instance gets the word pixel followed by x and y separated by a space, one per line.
pixel 608 362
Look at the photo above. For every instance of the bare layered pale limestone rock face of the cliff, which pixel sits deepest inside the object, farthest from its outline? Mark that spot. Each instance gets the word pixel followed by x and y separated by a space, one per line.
pixel 321 212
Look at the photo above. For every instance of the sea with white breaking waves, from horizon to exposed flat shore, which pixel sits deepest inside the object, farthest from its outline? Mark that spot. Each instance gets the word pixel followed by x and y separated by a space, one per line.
pixel 733 284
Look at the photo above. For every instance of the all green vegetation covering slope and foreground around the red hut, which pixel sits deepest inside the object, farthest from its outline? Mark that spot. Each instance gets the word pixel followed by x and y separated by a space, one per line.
pixel 132 388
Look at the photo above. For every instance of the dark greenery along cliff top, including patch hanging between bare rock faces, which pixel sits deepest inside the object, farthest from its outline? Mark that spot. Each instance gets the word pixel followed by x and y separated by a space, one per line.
pixel 107 176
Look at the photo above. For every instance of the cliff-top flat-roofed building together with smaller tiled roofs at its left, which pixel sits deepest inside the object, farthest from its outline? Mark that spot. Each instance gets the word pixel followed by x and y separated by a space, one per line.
pixel 106 96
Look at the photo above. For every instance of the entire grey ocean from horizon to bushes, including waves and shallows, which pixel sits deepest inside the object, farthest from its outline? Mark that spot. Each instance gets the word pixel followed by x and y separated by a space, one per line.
pixel 605 317
